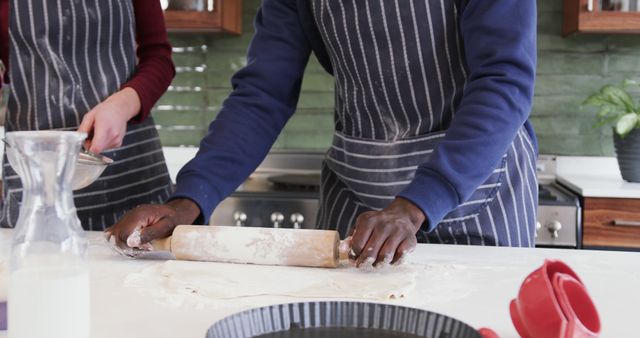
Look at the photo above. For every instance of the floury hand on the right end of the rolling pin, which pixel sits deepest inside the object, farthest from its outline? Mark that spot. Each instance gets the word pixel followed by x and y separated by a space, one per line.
pixel 384 237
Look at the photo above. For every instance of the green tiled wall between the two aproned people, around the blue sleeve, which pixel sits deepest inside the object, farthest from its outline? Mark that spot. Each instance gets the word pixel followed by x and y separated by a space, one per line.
pixel 204 65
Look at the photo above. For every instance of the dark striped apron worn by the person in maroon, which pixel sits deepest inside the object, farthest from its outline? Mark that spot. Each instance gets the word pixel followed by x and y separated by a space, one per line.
pixel 67 56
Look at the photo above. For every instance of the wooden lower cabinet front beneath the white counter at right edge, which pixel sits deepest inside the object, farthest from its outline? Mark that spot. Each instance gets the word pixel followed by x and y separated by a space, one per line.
pixel 611 223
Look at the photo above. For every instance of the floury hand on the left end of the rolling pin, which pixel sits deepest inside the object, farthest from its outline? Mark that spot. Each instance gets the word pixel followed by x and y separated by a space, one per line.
pixel 140 226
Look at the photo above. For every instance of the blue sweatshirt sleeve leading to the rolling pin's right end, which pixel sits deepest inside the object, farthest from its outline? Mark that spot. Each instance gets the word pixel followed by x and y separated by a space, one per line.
pixel 500 45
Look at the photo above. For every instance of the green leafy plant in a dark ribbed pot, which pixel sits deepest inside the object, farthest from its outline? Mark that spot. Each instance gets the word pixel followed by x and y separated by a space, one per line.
pixel 618 107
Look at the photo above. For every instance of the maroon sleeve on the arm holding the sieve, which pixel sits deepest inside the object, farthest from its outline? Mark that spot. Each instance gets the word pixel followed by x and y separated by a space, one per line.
pixel 155 68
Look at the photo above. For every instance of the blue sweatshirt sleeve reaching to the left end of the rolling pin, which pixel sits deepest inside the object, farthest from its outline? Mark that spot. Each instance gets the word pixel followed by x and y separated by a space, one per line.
pixel 265 94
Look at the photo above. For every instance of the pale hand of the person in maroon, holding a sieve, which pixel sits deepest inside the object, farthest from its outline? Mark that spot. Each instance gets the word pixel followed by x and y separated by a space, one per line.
pixel 107 122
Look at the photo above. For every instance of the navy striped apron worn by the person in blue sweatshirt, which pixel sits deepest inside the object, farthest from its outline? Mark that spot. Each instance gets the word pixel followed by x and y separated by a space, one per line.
pixel 400 71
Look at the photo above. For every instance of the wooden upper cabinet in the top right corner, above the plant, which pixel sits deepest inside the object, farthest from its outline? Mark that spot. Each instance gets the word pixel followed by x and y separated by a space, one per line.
pixel 601 16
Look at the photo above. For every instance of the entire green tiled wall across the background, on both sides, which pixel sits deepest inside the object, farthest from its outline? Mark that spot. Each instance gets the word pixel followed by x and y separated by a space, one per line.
pixel 568 70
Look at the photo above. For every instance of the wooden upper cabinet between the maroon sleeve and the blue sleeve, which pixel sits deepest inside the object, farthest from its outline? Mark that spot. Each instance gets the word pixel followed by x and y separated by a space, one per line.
pixel 203 15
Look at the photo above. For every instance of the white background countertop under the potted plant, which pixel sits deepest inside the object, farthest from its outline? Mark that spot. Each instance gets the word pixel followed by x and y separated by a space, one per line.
pixel 595 177
